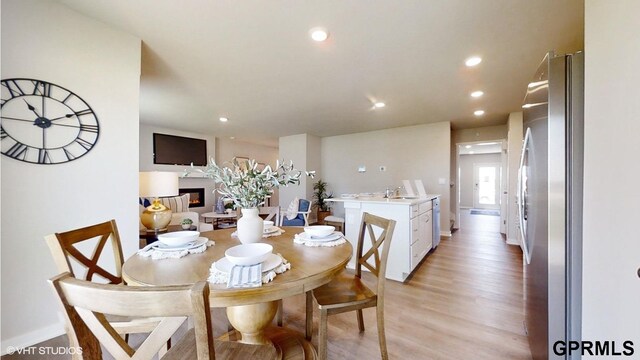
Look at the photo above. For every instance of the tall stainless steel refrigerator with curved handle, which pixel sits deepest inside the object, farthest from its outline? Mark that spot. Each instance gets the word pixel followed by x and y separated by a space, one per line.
pixel 550 203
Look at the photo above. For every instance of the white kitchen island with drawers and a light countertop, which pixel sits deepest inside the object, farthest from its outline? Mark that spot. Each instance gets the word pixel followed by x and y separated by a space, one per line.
pixel 413 235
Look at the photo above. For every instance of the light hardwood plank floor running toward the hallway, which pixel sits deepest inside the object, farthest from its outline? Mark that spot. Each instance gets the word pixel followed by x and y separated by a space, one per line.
pixel 463 302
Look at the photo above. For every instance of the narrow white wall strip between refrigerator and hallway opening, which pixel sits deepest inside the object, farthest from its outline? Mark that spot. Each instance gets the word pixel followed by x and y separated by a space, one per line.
pixel 514 149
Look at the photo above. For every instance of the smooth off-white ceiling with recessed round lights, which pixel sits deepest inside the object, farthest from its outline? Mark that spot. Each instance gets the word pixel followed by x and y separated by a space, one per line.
pixel 254 62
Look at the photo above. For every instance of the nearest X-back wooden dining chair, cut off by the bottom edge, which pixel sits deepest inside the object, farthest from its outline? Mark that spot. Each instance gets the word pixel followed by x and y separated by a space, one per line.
pixel 85 305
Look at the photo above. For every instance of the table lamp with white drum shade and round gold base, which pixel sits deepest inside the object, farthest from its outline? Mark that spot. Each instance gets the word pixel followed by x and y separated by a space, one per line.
pixel 157 184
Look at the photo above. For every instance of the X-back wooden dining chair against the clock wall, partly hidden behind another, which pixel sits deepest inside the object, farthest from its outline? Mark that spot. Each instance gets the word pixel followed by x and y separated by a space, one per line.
pixel 63 247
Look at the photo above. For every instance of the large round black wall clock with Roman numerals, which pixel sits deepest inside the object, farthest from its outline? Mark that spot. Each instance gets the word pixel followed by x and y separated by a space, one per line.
pixel 43 123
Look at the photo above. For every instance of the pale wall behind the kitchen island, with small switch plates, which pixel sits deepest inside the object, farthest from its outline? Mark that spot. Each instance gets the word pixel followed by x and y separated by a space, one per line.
pixel 412 152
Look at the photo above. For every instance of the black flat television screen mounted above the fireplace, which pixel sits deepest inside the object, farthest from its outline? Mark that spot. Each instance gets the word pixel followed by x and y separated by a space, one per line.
pixel 178 150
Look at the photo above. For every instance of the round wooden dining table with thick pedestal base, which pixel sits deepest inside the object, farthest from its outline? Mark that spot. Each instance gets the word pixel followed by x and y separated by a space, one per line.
pixel 250 310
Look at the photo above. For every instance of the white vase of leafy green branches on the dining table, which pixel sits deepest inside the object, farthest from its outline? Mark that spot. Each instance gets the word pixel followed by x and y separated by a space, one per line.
pixel 248 187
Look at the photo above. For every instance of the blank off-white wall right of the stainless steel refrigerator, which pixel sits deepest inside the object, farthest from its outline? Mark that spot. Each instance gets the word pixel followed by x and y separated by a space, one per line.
pixel 611 246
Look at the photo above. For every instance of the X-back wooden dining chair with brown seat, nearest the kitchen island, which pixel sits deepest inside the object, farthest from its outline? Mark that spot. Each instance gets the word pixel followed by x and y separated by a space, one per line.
pixel 348 293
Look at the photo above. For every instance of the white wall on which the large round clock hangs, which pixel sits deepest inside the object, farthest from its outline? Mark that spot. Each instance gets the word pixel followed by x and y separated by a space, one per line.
pixel 44 40
